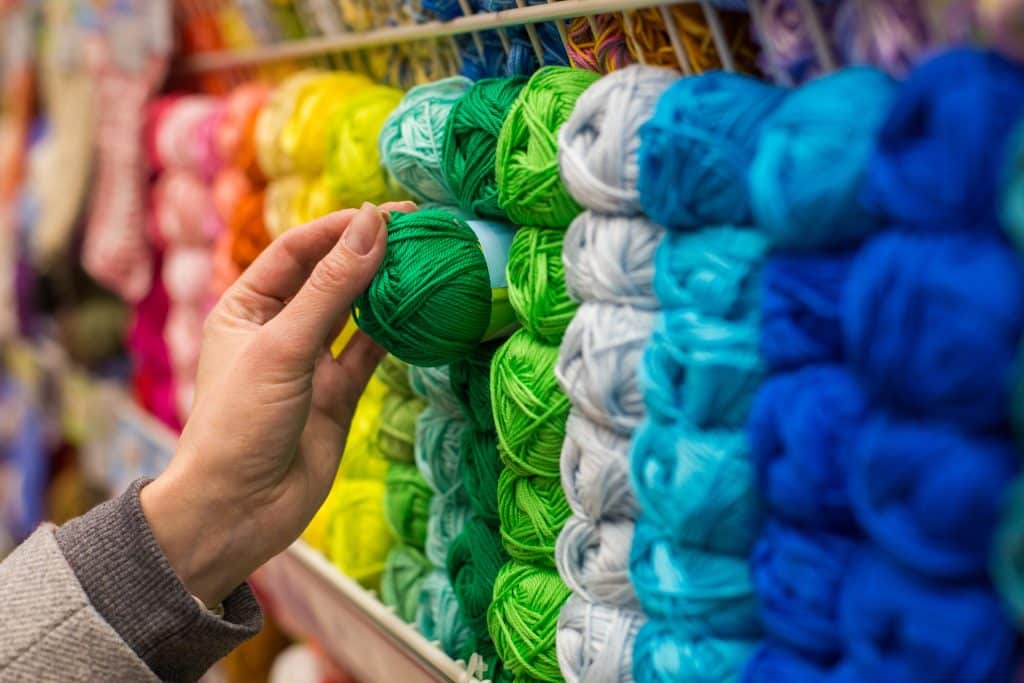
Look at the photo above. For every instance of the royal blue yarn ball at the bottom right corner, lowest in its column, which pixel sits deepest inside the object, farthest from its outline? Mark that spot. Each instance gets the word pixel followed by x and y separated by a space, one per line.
pixel 902 628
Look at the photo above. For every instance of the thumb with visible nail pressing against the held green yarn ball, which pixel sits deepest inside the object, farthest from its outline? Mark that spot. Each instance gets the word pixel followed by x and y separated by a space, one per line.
pixel 307 324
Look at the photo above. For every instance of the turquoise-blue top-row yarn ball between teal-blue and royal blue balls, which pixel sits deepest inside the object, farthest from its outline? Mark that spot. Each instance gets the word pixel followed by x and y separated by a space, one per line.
pixel 806 180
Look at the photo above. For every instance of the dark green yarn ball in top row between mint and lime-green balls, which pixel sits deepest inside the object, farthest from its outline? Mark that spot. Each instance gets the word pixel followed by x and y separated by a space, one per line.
pixel 472 143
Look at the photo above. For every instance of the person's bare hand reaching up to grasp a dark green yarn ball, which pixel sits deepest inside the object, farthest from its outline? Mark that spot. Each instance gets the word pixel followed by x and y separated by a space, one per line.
pixel 273 408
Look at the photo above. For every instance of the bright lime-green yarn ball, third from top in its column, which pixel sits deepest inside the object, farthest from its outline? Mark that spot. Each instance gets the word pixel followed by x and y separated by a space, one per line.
pixel 531 409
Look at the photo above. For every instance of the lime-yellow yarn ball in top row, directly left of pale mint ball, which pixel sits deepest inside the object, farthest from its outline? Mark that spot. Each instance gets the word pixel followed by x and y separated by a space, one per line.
pixel 354 168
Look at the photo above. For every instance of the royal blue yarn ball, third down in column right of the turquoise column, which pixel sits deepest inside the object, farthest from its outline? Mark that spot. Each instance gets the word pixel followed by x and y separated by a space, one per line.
pixel 802 431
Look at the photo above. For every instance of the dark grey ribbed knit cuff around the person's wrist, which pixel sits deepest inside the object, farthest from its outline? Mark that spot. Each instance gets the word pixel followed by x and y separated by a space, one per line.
pixel 131 583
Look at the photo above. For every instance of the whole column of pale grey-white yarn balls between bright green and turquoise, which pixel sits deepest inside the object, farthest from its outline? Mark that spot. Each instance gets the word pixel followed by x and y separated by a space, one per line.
pixel 610 277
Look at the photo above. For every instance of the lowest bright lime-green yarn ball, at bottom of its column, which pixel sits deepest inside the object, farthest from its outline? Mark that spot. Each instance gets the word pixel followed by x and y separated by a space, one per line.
pixel 524 619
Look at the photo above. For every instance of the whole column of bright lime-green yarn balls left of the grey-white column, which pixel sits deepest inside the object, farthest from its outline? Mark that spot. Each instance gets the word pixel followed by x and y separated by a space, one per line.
pixel 530 408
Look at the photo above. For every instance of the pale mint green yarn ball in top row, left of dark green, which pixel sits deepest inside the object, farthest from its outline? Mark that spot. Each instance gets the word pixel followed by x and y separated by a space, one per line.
pixel 412 142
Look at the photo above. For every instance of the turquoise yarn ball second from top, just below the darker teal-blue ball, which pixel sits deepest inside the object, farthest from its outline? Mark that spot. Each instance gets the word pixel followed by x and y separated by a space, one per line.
pixel 715 272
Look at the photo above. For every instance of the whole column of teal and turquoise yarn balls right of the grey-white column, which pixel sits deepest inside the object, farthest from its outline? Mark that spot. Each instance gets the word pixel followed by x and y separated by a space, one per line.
pixel 690 462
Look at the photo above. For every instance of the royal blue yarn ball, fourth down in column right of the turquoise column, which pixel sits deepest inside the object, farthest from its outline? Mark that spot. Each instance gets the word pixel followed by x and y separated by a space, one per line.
pixel 799 575
